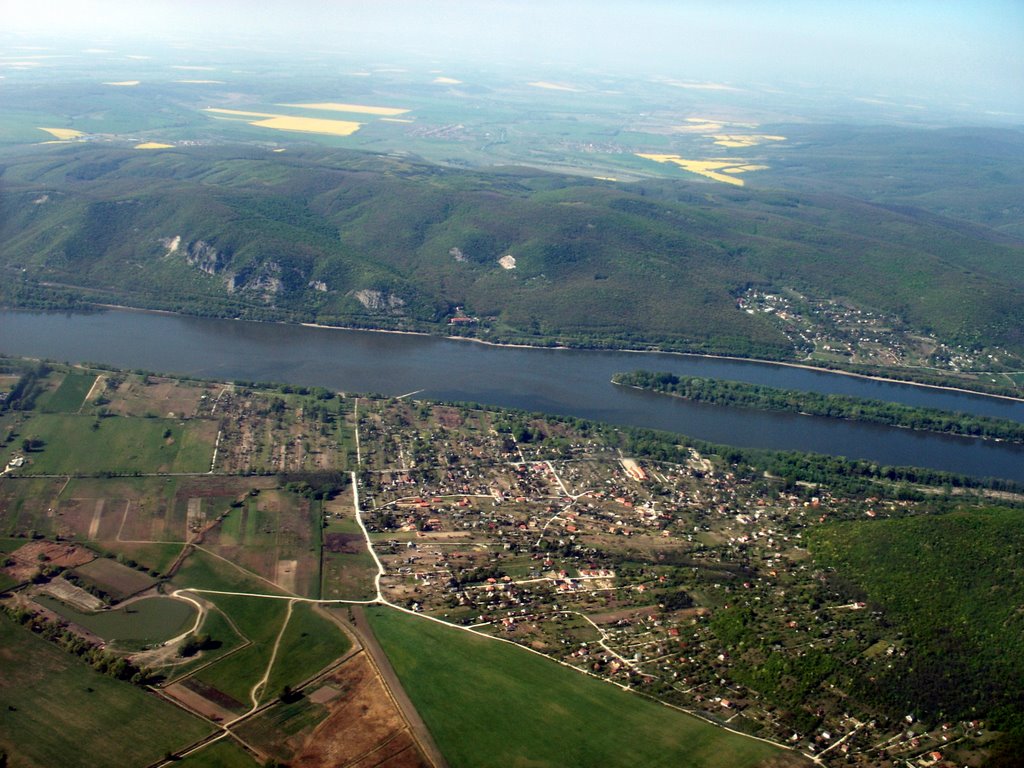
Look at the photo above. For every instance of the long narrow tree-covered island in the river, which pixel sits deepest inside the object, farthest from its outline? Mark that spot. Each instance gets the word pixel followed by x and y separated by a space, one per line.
pixel 743 395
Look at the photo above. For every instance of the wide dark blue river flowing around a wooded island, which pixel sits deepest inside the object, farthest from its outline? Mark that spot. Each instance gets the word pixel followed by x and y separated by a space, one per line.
pixel 553 381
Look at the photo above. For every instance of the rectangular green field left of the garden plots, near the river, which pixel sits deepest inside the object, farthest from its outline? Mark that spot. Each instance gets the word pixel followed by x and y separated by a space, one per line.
pixel 83 445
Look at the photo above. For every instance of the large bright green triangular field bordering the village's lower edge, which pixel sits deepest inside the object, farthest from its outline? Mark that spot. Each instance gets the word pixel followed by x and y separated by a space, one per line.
pixel 489 704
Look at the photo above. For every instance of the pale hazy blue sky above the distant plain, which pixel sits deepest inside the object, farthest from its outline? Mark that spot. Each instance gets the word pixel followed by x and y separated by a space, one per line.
pixel 914 48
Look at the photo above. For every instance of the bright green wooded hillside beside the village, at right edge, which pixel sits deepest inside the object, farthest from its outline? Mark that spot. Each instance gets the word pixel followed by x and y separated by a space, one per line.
pixel 950 589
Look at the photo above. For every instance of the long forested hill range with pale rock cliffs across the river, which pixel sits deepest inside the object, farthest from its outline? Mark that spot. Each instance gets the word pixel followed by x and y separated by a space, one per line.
pixel 380 241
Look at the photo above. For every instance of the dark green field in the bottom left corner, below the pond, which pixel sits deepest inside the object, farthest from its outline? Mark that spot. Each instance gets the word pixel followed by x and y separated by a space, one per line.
pixel 59 711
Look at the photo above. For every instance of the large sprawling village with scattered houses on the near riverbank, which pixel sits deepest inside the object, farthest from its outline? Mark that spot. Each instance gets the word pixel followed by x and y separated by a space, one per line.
pixel 679 581
